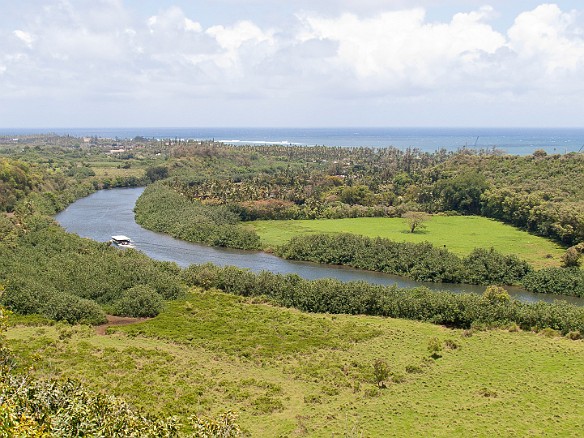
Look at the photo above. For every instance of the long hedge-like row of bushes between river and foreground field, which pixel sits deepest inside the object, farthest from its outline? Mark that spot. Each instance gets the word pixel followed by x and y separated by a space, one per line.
pixel 333 296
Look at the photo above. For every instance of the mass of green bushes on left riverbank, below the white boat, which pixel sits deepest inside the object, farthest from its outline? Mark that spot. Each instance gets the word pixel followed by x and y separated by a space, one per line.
pixel 64 277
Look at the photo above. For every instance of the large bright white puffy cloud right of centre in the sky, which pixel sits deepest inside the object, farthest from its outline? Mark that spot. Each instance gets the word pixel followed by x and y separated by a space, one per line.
pixel 400 49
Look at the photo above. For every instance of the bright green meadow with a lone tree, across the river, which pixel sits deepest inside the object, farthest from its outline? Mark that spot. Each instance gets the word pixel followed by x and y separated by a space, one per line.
pixel 460 234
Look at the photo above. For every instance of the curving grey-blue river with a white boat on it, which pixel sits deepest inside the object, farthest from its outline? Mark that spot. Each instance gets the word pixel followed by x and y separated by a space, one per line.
pixel 110 212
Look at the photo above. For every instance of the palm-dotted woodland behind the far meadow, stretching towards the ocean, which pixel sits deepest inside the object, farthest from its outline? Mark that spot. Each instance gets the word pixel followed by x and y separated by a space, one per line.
pixel 540 193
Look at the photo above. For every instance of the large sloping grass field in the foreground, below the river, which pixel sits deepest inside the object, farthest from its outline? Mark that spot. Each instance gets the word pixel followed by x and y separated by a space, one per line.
pixel 292 374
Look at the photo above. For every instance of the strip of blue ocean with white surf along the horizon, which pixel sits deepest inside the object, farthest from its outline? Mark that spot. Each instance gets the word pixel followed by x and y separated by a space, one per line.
pixel 516 141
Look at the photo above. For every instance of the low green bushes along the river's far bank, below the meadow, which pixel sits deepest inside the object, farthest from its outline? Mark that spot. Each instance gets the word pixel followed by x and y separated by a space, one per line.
pixel 161 208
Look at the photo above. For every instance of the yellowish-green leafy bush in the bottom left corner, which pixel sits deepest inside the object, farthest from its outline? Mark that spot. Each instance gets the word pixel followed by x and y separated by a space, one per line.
pixel 66 409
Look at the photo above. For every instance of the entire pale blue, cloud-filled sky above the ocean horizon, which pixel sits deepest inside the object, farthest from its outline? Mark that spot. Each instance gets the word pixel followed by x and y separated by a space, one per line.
pixel 277 63
